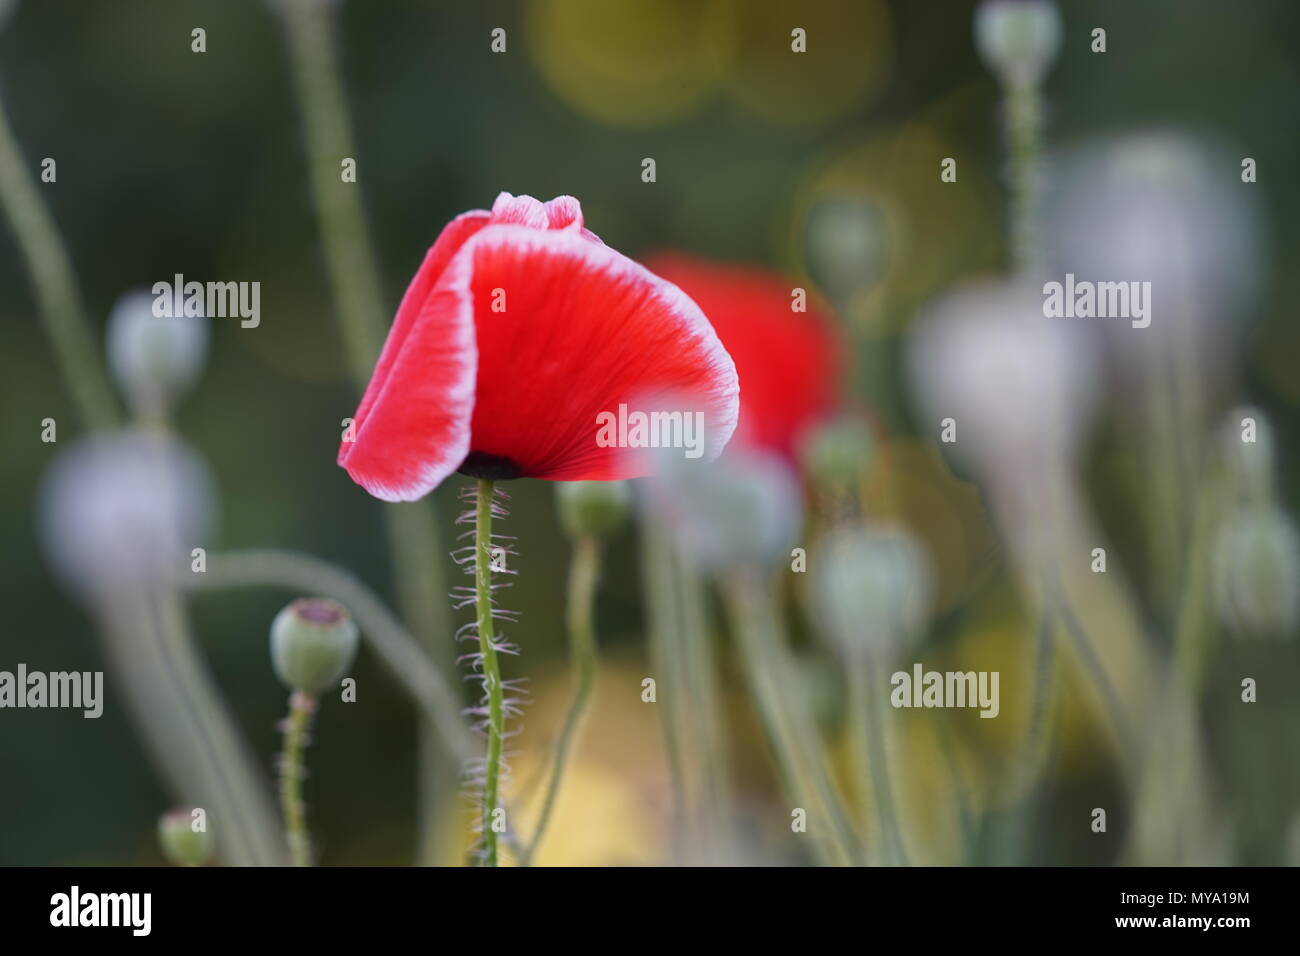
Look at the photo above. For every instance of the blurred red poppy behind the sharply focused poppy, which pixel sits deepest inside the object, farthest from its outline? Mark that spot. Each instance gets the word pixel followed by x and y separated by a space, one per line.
pixel 787 360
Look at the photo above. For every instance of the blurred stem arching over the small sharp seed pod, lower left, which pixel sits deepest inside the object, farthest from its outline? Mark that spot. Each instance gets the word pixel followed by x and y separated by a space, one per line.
pixel 380 629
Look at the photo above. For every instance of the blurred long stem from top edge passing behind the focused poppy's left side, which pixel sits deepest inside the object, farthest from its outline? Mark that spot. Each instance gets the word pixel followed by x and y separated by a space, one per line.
pixel 357 289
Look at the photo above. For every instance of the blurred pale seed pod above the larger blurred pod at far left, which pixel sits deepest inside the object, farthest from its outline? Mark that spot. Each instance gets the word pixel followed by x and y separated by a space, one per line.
pixel 154 358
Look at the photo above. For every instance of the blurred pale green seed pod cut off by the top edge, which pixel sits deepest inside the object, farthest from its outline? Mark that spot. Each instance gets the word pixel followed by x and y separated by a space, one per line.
pixel 1019 40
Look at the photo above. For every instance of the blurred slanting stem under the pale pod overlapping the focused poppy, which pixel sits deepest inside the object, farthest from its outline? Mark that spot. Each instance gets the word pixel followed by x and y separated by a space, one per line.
pixel 790 725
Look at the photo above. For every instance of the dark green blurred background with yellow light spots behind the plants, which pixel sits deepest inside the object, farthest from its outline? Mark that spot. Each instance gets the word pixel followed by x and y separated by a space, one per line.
pixel 172 162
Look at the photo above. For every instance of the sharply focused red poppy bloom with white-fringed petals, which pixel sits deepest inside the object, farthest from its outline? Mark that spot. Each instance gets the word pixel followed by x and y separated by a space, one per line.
pixel 519 331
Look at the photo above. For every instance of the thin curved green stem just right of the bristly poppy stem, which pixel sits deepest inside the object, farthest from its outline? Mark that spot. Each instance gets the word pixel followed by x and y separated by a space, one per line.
pixel 584 573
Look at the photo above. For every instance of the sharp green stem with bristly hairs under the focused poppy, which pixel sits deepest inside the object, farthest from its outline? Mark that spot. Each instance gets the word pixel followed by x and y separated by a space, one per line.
pixel 487 555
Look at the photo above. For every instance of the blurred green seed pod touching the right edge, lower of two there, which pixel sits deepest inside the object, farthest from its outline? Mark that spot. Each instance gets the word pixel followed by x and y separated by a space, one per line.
pixel 1258 573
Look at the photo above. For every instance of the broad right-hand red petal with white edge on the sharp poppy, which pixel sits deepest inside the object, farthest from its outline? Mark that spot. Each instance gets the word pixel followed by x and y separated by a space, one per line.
pixel 567 330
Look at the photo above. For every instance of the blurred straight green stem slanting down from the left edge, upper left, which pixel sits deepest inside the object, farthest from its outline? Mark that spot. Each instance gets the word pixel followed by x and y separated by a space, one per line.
pixel 62 309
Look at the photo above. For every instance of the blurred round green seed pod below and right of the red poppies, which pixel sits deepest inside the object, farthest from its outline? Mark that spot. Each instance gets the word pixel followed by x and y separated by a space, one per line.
pixel 873 586
